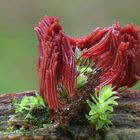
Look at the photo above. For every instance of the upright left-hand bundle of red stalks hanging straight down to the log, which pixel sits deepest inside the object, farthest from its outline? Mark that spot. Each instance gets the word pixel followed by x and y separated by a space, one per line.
pixel 56 61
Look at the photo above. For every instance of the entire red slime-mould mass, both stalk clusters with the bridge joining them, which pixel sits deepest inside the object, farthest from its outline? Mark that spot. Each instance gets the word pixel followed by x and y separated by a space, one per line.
pixel 115 50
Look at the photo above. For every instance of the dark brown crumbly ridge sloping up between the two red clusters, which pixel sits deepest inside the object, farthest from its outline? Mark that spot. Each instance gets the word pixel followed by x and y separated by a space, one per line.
pixel 72 109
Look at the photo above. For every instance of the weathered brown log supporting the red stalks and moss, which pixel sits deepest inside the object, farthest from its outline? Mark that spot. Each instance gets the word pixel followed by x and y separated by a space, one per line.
pixel 126 122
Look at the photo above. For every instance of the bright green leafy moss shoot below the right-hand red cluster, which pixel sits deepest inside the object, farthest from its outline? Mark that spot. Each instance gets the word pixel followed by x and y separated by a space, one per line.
pixel 101 107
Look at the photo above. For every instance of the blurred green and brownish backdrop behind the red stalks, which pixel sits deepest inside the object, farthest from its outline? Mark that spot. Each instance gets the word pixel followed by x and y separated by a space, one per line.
pixel 18 43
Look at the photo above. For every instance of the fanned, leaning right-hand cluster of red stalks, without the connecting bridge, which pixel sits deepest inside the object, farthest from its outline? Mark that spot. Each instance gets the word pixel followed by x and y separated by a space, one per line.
pixel 118 54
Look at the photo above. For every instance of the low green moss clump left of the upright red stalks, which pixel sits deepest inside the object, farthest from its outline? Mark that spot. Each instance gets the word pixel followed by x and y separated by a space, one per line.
pixel 25 108
